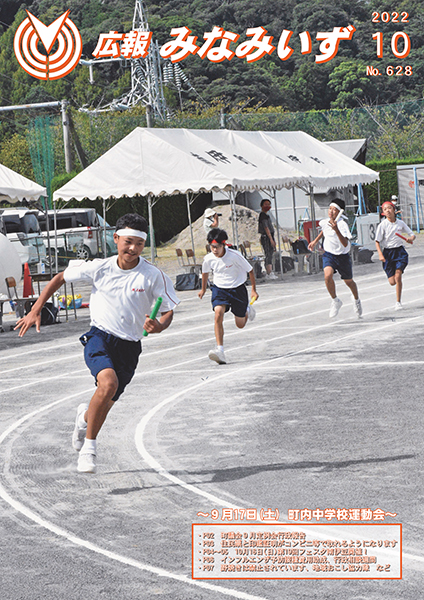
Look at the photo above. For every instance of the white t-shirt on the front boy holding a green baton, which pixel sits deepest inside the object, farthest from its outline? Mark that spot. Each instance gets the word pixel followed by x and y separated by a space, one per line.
pixel 120 299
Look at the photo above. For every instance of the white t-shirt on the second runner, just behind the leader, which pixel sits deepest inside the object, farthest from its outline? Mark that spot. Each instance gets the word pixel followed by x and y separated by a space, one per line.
pixel 229 271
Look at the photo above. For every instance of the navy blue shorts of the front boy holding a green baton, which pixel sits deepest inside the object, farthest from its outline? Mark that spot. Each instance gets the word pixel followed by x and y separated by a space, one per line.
pixel 105 351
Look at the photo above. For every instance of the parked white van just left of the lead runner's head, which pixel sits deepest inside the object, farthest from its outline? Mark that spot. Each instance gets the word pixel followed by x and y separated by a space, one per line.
pixel 79 233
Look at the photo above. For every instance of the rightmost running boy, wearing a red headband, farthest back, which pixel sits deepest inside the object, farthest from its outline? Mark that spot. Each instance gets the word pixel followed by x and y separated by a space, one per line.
pixel 393 256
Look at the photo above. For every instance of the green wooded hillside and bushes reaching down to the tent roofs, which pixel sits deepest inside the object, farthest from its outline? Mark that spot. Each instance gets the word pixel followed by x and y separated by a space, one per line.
pixel 333 100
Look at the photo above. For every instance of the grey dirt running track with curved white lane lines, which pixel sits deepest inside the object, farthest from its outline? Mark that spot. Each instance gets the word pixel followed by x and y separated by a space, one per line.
pixel 307 413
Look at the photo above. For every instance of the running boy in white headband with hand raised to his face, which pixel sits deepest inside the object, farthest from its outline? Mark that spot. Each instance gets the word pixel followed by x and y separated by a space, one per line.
pixel 336 256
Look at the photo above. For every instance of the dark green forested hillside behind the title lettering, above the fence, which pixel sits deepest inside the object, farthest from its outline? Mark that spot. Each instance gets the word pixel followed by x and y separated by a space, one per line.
pixel 296 84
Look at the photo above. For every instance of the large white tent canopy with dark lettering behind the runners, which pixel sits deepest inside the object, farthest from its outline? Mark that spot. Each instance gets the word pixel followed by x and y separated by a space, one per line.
pixel 170 161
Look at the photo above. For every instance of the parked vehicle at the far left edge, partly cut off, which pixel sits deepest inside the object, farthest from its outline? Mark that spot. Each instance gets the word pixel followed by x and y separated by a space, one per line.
pixel 21 227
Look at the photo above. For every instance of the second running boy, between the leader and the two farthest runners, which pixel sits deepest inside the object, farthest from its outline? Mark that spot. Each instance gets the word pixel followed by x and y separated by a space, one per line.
pixel 229 291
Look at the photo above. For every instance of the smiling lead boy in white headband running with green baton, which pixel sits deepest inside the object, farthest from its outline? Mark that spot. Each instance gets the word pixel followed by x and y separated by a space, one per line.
pixel 124 288
